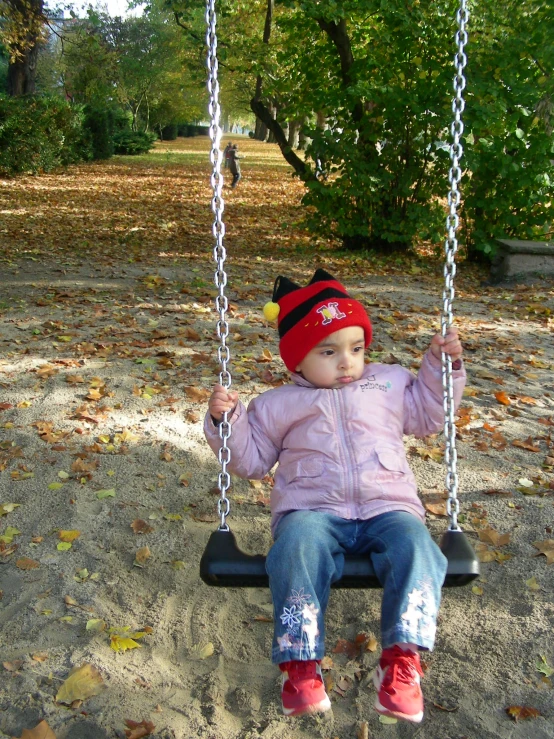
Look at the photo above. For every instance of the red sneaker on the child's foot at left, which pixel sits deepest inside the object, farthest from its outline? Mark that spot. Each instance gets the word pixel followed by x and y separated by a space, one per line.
pixel 303 690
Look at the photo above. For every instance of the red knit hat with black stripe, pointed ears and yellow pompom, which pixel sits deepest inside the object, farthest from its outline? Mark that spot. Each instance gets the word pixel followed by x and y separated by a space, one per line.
pixel 306 315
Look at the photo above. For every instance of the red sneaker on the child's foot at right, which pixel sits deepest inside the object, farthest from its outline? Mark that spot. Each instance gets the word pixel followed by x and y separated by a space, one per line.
pixel 397 681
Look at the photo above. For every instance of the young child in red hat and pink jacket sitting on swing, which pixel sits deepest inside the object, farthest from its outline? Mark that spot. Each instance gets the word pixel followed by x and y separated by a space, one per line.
pixel 343 485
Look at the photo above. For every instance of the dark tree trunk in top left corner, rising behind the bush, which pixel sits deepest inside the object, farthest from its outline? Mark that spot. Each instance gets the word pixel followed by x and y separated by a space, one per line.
pixel 29 20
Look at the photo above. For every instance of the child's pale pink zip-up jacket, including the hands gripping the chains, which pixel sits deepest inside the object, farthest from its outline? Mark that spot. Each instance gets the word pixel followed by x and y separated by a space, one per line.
pixel 339 451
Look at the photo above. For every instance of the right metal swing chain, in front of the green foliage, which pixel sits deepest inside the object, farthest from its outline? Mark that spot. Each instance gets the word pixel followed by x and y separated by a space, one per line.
pixel 451 247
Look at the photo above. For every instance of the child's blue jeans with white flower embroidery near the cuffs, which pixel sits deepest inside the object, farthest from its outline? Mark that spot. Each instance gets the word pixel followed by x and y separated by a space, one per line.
pixel 308 555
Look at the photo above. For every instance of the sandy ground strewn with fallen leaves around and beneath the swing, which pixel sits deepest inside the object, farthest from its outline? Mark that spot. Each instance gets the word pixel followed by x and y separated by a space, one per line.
pixel 101 378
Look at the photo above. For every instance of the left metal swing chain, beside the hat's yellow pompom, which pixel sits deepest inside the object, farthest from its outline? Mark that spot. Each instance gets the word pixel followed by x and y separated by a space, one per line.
pixel 219 254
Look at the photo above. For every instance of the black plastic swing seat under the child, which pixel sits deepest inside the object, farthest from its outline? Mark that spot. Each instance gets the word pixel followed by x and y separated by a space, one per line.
pixel 223 564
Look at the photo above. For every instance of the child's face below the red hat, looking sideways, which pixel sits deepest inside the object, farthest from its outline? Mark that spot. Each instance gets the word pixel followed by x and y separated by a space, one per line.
pixel 337 361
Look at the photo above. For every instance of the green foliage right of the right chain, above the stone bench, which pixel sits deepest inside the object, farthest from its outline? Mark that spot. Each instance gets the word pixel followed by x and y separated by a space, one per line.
pixel 509 147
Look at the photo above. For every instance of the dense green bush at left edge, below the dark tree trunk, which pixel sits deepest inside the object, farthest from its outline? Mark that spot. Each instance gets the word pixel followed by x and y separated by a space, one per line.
pixel 38 134
